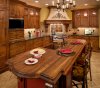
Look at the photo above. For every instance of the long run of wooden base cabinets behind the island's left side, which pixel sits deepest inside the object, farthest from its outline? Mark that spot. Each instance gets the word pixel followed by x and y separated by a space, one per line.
pixel 17 47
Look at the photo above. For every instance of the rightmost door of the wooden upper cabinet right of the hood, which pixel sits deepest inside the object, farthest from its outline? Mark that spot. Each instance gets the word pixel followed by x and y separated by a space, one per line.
pixel 93 21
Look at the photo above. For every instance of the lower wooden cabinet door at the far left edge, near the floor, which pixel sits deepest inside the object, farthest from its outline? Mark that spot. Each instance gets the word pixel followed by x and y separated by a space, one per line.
pixel 2 56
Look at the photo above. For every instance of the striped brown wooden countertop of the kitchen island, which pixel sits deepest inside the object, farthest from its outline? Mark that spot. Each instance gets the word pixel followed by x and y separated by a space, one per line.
pixel 49 67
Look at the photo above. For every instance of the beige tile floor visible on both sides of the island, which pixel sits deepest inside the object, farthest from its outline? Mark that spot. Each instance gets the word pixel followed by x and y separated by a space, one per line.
pixel 9 80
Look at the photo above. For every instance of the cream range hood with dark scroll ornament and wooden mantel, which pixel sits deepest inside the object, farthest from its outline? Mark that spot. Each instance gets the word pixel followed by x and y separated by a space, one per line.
pixel 57 17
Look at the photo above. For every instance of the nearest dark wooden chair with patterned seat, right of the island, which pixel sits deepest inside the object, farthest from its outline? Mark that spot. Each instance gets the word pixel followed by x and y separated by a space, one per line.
pixel 79 73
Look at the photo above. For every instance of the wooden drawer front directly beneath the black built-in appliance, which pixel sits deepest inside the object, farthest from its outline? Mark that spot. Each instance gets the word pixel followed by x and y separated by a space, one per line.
pixel 16 34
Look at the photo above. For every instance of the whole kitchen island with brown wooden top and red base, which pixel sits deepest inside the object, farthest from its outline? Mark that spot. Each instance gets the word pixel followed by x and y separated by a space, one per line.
pixel 51 71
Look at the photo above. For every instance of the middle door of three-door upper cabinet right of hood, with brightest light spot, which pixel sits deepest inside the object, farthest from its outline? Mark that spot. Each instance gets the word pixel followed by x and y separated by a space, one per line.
pixel 84 18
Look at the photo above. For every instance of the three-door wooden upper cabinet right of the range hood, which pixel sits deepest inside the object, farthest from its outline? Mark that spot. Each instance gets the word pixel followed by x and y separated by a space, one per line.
pixel 85 18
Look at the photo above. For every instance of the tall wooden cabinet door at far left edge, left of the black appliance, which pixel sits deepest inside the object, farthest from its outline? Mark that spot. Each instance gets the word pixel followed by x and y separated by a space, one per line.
pixel 2 26
